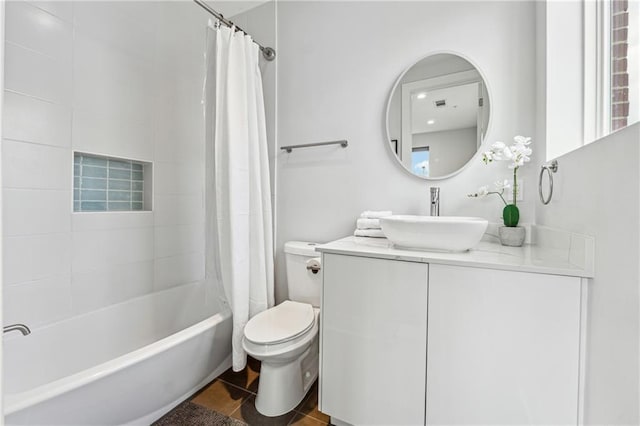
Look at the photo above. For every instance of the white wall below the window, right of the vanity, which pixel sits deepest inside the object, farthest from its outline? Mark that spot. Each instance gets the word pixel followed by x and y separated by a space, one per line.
pixel 597 192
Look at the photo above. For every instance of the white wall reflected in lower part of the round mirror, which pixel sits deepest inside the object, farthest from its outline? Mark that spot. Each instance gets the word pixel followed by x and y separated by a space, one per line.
pixel 448 150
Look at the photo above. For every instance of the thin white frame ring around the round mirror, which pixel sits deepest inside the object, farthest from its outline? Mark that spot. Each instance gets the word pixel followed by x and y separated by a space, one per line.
pixel 489 123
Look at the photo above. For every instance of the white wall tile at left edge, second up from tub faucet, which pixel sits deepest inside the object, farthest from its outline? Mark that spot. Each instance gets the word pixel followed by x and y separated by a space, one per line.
pixel 30 258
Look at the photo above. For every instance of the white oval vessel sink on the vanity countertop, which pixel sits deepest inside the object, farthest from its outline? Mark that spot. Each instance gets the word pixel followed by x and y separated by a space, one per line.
pixel 442 233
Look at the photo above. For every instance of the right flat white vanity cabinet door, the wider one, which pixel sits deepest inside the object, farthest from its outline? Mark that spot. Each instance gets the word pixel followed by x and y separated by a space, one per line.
pixel 503 347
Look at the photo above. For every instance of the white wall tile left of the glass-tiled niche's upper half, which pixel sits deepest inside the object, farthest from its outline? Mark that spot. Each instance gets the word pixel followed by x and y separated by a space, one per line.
pixel 27 165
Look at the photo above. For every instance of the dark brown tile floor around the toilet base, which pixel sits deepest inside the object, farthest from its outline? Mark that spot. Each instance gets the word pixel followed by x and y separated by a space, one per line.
pixel 230 400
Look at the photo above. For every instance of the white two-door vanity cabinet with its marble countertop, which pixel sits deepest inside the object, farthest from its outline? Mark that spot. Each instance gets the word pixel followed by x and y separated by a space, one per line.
pixel 490 336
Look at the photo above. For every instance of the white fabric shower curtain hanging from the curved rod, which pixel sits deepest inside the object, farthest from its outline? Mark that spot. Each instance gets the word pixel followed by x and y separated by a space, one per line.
pixel 243 217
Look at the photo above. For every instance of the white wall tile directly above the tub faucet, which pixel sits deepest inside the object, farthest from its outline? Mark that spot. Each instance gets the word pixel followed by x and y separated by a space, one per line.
pixel 37 303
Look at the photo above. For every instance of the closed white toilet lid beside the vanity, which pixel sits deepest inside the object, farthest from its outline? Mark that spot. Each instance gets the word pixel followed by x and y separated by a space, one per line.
pixel 284 322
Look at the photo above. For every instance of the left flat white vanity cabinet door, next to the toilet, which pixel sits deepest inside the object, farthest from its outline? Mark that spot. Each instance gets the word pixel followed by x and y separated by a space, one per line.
pixel 373 340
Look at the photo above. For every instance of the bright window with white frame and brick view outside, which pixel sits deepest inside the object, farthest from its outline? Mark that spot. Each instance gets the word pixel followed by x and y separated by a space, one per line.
pixel 591 72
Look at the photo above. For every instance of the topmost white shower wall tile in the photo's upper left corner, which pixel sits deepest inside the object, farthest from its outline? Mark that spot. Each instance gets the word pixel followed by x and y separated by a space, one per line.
pixel 31 27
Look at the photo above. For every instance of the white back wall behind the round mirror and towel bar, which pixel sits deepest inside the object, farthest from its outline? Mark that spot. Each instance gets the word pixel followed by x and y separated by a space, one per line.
pixel 337 64
